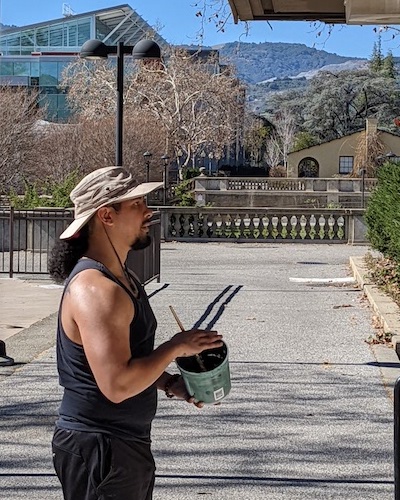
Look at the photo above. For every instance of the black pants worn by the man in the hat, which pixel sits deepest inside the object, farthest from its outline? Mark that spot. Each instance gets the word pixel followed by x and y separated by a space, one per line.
pixel 94 466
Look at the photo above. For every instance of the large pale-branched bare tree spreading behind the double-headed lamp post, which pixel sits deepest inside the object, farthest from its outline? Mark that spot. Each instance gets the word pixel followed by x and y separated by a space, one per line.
pixel 194 103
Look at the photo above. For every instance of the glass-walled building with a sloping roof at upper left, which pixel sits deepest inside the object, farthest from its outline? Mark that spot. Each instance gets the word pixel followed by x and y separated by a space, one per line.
pixel 35 55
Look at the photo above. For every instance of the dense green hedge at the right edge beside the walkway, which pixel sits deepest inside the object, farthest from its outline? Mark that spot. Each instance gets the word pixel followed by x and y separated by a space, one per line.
pixel 383 212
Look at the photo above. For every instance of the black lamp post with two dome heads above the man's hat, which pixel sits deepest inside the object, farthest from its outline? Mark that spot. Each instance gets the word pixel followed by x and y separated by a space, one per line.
pixel 95 49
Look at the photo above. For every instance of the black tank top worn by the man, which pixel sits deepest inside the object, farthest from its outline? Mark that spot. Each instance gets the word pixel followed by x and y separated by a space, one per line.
pixel 83 406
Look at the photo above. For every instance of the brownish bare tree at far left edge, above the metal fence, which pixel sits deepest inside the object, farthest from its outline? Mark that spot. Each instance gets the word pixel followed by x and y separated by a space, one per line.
pixel 18 115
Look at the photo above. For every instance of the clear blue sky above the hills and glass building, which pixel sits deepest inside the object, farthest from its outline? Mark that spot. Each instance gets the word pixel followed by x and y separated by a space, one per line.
pixel 176 21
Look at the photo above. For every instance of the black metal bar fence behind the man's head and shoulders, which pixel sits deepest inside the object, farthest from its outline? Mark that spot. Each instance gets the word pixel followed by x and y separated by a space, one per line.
pixel 27 237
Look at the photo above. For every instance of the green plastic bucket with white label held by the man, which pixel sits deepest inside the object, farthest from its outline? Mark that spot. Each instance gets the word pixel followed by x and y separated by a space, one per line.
pixel 210 386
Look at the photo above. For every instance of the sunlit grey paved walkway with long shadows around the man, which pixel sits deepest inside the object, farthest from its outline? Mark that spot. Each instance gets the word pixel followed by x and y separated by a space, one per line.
pixel 309 415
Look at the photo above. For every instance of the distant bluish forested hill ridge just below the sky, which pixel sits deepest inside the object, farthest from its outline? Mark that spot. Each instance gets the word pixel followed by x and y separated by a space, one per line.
pixel 260 62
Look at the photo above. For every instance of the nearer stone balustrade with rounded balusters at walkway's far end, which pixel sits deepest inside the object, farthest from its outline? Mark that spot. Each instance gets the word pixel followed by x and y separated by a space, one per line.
pixel 246 224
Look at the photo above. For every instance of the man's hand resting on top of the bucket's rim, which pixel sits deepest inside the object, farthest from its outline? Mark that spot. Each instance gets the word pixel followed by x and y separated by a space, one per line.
pixel 193 342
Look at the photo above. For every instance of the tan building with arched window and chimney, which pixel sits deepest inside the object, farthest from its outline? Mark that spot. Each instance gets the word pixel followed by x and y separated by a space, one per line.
pixel 336 157
